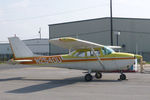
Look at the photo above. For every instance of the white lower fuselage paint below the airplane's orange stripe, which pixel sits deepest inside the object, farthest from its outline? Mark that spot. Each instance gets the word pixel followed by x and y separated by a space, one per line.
pixel 110 65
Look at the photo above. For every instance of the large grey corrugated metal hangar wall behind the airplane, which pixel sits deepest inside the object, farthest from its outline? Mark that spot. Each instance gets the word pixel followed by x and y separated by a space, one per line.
pixel 135 33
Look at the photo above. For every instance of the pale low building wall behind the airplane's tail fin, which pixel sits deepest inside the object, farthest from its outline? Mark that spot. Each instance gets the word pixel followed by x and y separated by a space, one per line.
pixel 37 46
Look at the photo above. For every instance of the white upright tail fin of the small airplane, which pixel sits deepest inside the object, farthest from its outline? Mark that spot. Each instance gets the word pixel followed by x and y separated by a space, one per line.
pixel 19 49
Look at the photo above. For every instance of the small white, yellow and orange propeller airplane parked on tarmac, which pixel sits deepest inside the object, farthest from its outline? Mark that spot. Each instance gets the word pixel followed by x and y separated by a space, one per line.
pixel 83 55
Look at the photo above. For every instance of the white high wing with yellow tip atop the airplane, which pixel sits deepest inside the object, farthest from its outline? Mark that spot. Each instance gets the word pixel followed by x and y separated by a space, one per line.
pixel 73 43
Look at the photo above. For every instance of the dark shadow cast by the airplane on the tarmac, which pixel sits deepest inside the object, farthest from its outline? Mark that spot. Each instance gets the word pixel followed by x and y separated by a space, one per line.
pixel 52 83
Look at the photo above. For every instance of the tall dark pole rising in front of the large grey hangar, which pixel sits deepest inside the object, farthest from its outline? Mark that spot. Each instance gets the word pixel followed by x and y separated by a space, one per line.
pixel 111 23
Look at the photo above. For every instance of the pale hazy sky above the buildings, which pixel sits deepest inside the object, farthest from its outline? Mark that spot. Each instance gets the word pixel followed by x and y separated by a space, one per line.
pixel 25 17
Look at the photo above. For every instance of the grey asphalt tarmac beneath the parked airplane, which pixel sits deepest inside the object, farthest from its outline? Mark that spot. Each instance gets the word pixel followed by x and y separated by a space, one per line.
pixel 19 82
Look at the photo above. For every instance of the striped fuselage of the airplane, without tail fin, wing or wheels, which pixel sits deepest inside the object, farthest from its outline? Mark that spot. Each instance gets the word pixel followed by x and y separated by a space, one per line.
pixel 111 62
